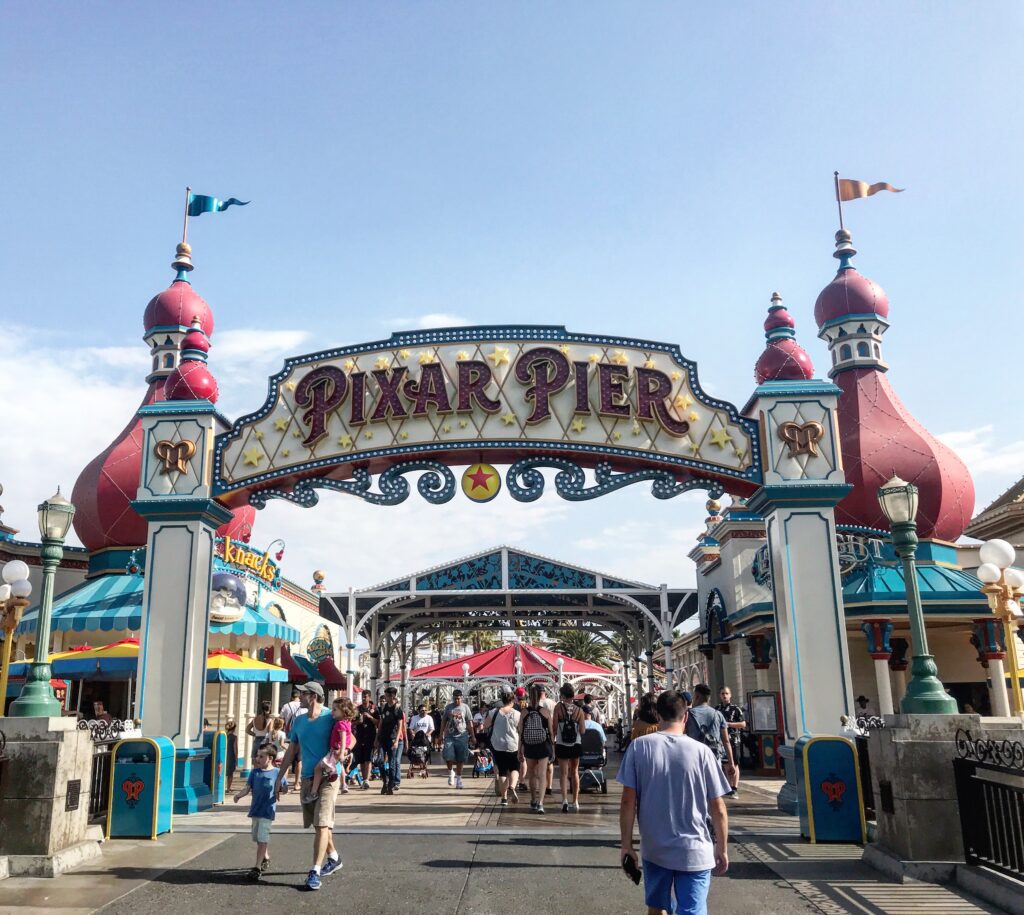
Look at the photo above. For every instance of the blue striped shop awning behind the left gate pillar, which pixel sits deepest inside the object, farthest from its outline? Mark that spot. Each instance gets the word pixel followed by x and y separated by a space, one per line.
pixel 114 603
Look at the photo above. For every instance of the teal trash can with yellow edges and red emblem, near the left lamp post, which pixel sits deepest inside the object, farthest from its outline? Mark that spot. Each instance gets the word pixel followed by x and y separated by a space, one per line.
pixel 142 789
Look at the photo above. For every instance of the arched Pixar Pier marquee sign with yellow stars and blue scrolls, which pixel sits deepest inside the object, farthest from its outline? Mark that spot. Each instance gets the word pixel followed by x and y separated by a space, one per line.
pixel 532 398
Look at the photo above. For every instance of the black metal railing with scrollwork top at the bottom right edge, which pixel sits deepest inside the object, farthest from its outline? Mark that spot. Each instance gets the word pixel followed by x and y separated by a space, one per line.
pixel 990 780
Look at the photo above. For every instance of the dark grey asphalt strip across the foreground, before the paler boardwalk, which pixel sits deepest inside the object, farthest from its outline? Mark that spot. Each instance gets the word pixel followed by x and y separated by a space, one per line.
pixel 438 876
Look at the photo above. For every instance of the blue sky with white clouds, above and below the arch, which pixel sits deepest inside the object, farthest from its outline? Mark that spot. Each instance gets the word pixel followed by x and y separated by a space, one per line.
pixel 648 170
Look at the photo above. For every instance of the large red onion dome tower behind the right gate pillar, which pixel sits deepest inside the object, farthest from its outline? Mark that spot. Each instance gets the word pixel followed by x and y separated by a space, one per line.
pixel 879 438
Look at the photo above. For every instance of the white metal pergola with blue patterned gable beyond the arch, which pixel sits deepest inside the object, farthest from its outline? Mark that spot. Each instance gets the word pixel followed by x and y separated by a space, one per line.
pixel 509 589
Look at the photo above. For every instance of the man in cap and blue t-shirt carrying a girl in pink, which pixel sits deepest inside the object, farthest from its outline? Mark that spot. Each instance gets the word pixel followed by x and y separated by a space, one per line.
pixel 311 734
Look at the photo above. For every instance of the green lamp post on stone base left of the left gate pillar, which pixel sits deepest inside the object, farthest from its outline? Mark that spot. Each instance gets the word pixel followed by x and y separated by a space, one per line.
pixel 37 700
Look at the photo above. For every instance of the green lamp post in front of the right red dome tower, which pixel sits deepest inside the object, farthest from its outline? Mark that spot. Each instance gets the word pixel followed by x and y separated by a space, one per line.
pixel 925 693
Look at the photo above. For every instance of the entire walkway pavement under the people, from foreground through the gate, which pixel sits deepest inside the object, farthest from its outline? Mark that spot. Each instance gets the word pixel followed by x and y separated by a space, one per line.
pixel 442 851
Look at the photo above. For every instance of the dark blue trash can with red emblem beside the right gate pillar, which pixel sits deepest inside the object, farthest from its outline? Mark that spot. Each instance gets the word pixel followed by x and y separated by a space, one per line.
pixel 832 806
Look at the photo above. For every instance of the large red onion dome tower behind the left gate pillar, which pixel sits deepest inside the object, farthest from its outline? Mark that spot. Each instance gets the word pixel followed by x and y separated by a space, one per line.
pixel 104 492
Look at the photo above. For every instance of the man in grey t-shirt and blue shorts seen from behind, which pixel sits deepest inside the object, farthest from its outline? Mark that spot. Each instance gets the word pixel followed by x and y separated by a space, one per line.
pixel 673 786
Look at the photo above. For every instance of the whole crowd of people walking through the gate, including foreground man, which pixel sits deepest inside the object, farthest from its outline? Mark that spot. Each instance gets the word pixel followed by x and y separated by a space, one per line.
pixel 681 760
